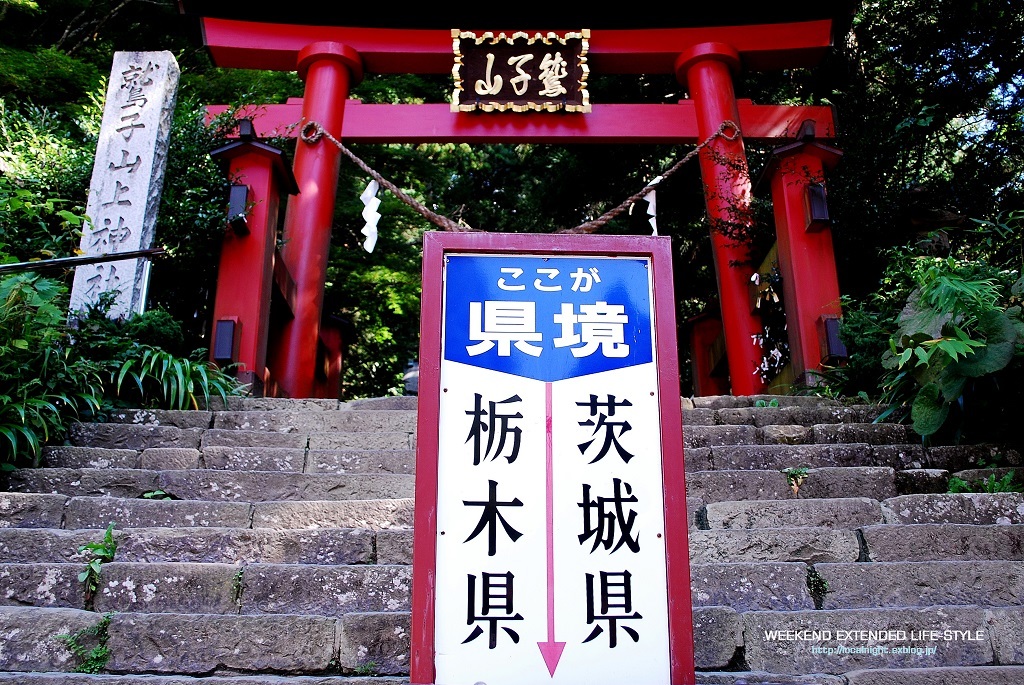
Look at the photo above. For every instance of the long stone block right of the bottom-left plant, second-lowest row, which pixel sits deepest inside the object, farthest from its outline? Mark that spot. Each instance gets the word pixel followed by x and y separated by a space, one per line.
pixel 204 645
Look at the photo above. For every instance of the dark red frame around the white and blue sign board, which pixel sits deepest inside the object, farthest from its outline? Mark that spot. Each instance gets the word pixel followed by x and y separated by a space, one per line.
pixel 658 249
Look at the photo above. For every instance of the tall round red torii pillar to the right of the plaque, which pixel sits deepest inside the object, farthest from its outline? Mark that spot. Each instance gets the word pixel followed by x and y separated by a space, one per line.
pixel 706 70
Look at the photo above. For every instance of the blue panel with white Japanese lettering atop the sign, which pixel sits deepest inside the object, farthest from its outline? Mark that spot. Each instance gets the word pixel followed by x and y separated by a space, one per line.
pixel 548 318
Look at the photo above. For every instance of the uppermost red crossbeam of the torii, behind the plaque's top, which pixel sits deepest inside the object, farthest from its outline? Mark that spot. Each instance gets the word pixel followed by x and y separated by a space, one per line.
pixel 276 47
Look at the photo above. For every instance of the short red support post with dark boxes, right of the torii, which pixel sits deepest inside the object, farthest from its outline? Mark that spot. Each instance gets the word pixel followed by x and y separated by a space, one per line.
pixel 806 259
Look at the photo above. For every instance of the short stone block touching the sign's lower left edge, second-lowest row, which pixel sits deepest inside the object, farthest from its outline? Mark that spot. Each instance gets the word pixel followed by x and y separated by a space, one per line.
pixel 381 639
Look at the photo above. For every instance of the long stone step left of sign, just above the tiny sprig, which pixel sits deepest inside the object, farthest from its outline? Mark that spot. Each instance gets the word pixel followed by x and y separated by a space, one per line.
pixel 211 485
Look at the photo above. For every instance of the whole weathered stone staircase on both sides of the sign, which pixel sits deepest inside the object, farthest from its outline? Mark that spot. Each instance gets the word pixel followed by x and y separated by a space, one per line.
pixel 271 543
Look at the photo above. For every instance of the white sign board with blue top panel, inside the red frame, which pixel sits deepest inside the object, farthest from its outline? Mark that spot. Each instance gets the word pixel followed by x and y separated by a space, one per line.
pixel 550 539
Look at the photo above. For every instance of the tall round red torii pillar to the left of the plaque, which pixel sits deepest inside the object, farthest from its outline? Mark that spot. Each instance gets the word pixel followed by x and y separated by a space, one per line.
pixel 329 70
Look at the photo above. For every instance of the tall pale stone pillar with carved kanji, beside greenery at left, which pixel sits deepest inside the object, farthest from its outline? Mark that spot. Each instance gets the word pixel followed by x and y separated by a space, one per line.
pixel 127 179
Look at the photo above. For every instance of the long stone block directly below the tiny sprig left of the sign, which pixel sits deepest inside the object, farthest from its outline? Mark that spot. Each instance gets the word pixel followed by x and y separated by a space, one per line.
pixel 100 512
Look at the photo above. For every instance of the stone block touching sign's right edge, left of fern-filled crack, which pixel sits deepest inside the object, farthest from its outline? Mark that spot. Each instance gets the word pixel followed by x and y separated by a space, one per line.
pixel 751 587
